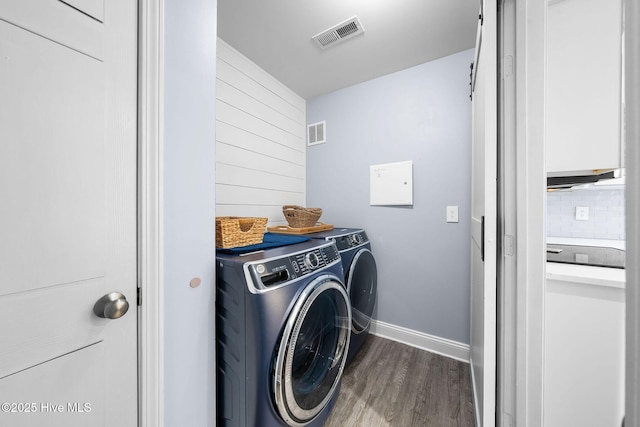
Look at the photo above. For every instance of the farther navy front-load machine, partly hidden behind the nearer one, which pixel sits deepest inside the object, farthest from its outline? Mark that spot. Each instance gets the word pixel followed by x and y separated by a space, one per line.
pixel 360 276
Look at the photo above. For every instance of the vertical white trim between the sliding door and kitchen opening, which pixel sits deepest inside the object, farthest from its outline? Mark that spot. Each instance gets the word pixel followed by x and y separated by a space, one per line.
pixel 530 68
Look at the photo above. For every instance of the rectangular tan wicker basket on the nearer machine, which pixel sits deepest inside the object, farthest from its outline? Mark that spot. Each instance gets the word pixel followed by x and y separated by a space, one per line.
pixel 233 231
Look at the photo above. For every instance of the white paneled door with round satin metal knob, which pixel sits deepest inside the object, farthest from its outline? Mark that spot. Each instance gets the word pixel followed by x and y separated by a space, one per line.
pixel 67 212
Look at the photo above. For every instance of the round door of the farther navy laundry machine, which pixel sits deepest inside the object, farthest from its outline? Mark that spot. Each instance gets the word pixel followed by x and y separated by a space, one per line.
pixel 362 285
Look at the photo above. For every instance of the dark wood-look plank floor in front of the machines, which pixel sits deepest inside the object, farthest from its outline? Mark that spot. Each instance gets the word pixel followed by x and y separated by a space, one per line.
pixel 395 385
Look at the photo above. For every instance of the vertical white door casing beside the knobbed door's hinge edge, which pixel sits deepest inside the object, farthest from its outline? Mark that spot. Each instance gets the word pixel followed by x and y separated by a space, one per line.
pixel 150 236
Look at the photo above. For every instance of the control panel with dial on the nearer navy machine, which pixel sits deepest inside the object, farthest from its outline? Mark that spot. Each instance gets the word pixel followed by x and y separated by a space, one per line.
pixel 270 273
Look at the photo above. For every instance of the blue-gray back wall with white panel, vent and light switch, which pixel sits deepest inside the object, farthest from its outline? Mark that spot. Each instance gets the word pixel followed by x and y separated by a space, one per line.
pixel 421 114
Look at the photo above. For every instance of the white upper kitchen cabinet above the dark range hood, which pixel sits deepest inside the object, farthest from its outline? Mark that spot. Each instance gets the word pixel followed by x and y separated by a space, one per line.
pixel 584 104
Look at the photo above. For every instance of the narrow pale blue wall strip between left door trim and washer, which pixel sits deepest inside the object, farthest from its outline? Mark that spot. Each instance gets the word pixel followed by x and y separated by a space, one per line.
pixel 189 211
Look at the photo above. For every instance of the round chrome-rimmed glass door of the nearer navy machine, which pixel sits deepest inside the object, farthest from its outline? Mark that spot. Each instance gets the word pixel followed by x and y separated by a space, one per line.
pixel 313 351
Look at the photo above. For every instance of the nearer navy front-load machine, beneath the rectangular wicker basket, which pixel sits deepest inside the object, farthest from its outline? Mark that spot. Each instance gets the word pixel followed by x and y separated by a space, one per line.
pixel 283 321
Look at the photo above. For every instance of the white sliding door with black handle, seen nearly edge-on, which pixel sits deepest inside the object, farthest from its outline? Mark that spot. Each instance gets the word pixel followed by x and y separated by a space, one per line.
pixel 484 217
